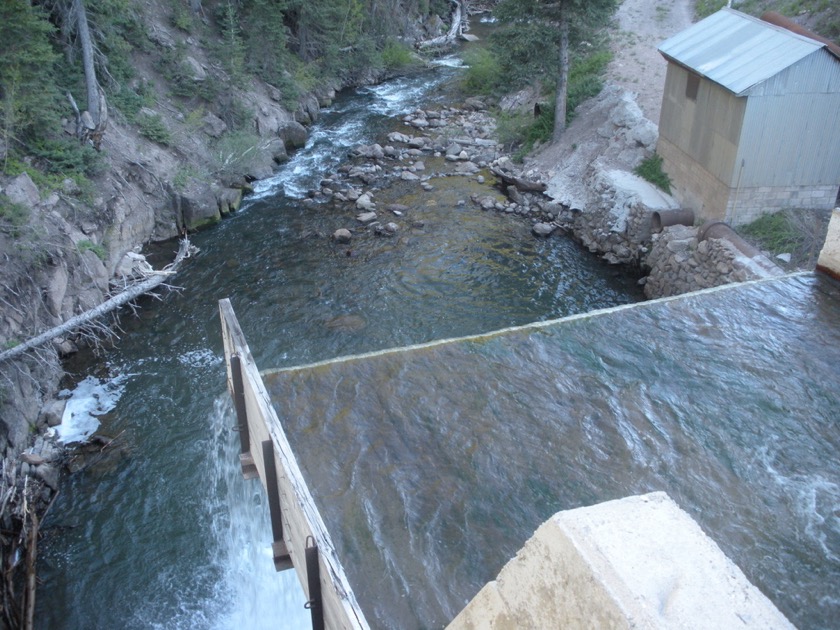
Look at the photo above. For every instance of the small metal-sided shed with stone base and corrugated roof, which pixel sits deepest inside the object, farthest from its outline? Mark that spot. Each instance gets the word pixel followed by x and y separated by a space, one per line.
pixel 750 118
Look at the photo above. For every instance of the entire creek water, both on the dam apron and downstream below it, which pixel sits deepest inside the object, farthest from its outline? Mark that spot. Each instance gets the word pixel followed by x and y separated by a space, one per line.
pixel 433 465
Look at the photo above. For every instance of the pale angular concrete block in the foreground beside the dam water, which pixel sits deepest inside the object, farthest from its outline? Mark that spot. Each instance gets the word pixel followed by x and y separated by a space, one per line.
pixel 639 562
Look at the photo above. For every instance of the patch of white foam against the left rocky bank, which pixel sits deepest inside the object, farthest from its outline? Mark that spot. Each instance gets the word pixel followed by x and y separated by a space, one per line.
pixel 90 398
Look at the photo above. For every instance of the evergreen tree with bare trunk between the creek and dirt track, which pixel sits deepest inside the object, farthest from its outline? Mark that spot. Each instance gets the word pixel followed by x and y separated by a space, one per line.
pixel 556 24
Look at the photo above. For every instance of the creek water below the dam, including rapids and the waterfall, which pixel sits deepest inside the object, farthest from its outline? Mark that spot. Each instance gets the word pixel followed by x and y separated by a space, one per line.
pixel 169 535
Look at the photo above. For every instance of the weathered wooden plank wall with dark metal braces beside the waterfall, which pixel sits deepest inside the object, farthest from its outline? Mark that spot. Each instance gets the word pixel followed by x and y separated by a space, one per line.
pixel 301 520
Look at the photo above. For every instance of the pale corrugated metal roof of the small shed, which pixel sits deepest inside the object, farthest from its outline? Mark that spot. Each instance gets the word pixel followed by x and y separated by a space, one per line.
pixel 736 50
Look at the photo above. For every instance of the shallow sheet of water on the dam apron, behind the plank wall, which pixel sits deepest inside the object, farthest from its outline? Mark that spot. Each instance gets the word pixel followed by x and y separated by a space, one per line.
pixel 431 465
